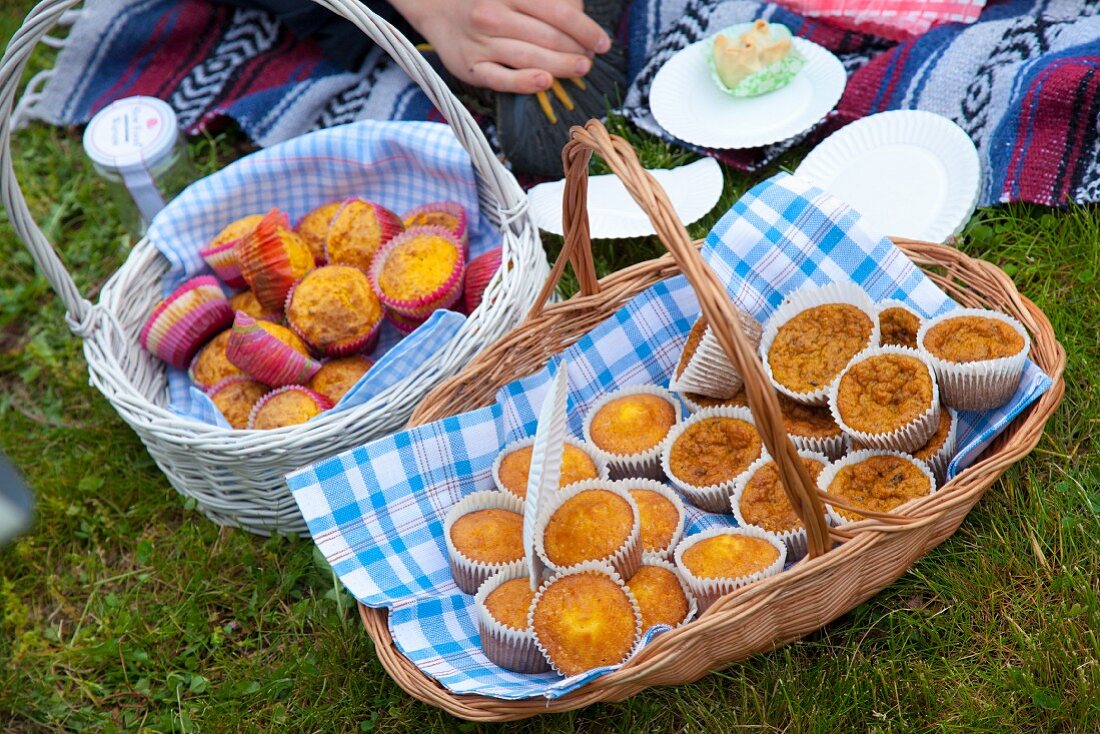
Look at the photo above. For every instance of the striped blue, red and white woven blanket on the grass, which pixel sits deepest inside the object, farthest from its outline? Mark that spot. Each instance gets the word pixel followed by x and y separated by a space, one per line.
pixel 1024 81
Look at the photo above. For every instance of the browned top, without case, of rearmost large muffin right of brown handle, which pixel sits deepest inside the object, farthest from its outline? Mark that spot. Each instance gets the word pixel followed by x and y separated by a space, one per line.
pixel 816 345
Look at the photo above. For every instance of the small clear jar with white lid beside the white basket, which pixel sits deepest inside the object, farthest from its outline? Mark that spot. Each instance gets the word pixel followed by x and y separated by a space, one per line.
pixel 136 147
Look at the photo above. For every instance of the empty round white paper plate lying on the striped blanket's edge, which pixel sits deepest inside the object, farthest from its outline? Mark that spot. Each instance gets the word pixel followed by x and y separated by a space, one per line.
pixel 910 173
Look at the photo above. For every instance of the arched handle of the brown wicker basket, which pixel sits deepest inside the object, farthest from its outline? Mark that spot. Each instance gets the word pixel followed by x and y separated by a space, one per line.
pixel 716 303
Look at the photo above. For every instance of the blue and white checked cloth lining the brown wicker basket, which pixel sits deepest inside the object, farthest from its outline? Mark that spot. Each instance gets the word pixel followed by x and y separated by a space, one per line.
pixel 377 512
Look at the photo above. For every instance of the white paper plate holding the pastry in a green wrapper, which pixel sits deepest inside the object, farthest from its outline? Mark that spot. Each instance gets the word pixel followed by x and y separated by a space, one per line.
pixel 688 104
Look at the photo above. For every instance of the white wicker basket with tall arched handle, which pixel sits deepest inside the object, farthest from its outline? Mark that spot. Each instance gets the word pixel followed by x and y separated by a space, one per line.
pixel 237 476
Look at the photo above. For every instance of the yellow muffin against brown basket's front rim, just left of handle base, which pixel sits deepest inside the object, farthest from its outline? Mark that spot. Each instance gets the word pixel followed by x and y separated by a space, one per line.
pixel 716 563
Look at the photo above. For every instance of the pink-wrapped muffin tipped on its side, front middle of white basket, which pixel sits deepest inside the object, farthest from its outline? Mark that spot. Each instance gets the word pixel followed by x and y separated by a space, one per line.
pixel 270 353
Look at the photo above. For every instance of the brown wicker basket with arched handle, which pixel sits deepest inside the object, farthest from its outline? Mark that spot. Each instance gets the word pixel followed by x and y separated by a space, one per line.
pixel 826 586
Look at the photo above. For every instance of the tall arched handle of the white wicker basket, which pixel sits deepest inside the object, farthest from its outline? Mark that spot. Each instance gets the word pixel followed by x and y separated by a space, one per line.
pixel 511 203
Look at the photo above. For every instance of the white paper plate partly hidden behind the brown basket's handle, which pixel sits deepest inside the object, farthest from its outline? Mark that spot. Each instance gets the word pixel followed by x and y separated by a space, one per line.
pixel 694 190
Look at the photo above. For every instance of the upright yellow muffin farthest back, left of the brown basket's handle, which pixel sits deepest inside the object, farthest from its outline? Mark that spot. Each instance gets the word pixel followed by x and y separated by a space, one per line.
pixel 628 429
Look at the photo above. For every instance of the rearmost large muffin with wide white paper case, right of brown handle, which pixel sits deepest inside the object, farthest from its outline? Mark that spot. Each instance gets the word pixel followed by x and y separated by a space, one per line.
pixel 813 336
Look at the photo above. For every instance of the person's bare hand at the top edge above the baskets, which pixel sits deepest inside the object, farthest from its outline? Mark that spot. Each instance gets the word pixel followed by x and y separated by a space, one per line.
pixel 509 46
